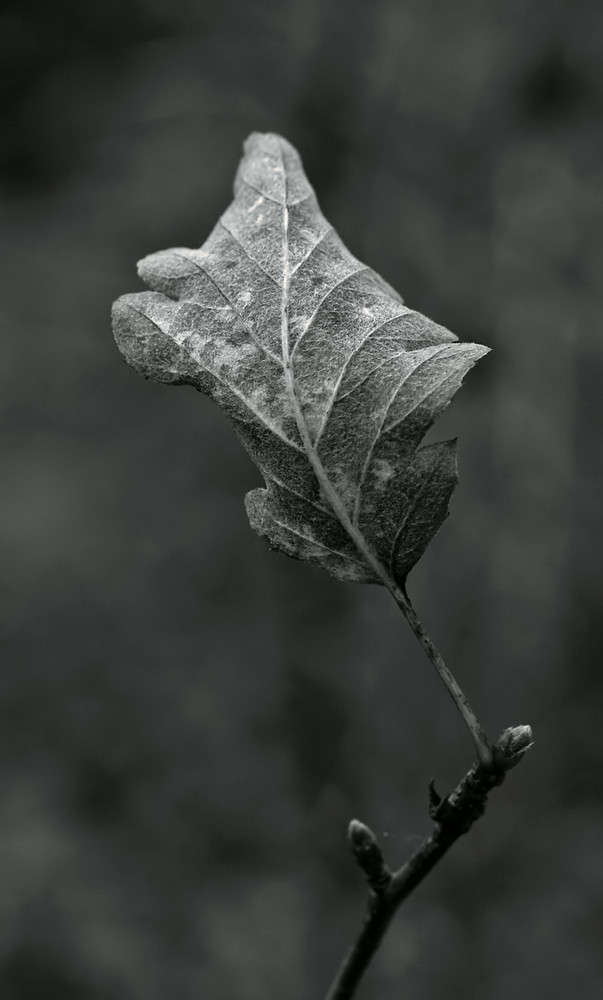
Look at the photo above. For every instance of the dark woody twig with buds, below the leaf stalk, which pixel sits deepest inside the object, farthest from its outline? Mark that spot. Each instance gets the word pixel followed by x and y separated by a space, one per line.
pixel 452 816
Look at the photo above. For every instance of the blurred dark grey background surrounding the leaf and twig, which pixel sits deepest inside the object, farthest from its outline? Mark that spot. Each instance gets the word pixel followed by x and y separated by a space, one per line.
pixel 188 721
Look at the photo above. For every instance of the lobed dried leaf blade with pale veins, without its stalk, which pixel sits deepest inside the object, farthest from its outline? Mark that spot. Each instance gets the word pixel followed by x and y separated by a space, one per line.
pixel 330 380
